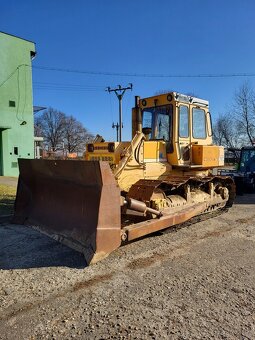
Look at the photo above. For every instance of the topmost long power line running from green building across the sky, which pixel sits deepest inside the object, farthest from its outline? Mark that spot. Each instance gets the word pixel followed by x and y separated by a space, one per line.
pixel 148 75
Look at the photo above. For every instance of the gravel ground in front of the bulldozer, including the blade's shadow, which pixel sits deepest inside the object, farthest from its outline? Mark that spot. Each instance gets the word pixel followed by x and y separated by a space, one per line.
pixel 198 282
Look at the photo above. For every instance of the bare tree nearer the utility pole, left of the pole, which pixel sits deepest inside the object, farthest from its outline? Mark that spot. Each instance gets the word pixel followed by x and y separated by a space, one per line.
pixel 75 136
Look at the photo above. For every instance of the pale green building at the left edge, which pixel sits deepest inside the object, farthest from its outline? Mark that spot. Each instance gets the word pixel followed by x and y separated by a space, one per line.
pixel 16 108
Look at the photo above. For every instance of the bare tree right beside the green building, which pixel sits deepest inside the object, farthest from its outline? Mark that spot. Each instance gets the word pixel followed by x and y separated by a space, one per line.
pixel 50 125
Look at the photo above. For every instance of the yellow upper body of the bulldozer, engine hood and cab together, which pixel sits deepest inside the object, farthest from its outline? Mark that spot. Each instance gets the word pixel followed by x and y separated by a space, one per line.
pixel 177 130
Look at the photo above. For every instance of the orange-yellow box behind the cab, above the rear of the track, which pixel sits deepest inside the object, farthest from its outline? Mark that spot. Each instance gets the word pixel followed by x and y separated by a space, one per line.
pixel 208 155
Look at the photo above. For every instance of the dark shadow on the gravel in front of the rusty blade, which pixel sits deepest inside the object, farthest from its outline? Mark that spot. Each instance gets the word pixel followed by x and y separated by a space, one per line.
pixel 22 248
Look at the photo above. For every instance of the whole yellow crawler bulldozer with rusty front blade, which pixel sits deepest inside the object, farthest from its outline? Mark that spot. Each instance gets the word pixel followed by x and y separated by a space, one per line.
pixel 123 191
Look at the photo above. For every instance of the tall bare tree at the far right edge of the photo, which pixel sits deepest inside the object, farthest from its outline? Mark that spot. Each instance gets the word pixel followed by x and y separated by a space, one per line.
pixel 244 112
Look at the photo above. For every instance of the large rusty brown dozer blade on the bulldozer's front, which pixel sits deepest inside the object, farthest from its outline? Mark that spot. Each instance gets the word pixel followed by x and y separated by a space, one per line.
pixel 74 202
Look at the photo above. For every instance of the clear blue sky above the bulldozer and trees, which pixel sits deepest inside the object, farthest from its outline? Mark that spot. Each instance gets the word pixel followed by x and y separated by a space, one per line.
pixel 187 37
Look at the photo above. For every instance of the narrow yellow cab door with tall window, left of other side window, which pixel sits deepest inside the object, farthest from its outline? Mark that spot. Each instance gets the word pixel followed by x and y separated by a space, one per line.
pixel 184 137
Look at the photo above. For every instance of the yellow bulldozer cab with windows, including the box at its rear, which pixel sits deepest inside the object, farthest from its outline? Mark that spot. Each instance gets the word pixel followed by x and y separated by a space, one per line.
pixel 183 124
